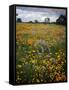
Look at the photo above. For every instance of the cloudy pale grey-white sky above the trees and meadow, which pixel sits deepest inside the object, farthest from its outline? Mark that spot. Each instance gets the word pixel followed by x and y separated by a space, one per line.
pixel 33 13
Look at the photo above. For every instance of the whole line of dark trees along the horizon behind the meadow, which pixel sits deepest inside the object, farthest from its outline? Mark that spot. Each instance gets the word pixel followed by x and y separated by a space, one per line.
pixel 62 20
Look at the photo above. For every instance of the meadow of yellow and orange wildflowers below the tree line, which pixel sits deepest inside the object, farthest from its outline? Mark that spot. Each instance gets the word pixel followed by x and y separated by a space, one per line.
pixel 40 53
